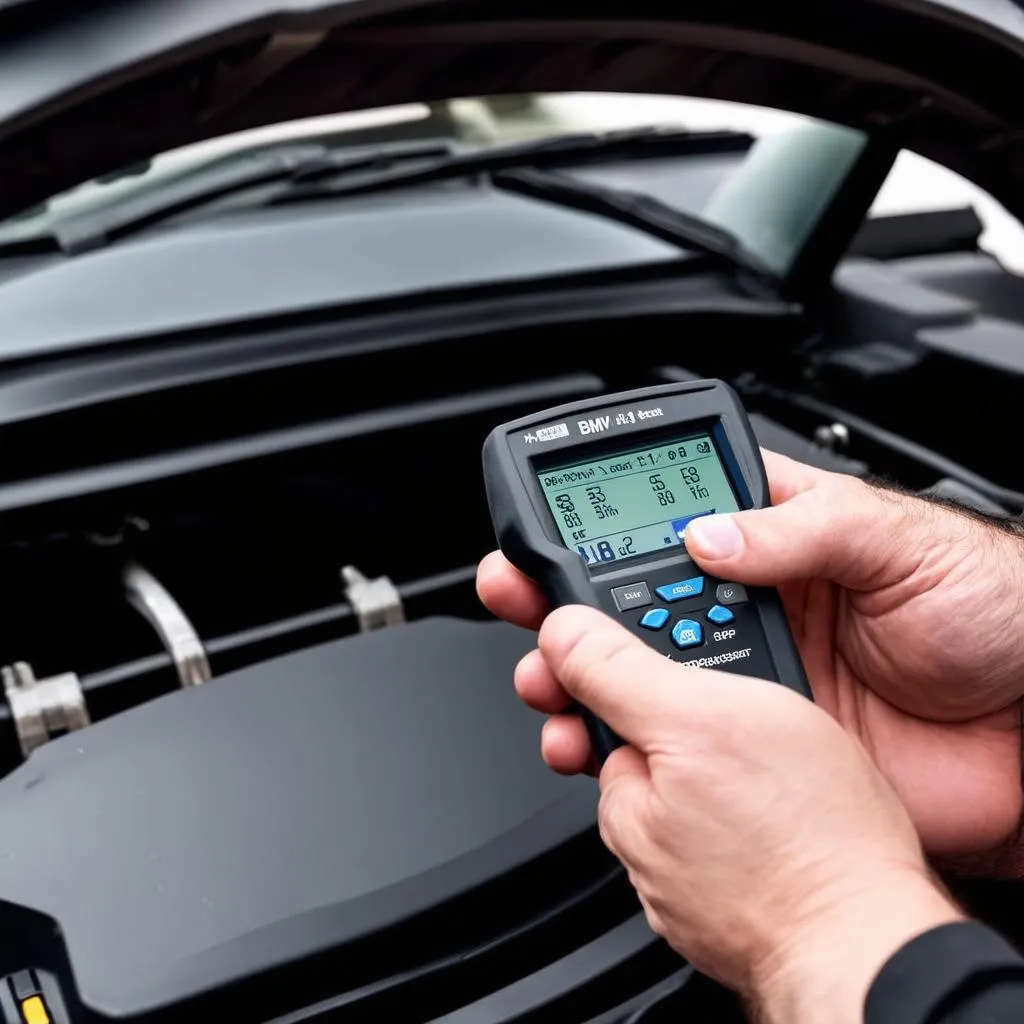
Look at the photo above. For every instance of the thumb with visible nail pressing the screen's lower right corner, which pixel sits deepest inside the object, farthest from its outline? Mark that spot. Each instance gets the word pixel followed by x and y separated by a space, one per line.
pixel 842 530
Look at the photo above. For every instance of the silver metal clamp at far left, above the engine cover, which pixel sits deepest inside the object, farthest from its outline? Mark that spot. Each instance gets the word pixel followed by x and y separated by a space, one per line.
pixel 44 709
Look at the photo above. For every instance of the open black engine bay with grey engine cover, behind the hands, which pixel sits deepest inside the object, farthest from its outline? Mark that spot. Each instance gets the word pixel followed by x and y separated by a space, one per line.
pixel 261 751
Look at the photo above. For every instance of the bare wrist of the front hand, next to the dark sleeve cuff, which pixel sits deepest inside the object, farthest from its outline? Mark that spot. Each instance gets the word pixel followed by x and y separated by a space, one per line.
pixel 834 956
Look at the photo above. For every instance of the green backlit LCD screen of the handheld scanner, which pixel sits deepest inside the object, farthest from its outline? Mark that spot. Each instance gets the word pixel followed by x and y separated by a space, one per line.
pixel 639 501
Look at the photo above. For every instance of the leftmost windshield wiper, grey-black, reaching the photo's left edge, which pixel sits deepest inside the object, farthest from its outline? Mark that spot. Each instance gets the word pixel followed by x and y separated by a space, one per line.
pixel 81 233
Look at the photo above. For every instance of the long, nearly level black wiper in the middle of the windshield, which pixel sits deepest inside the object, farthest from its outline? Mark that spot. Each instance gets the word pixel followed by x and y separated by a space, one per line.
pixel 560 151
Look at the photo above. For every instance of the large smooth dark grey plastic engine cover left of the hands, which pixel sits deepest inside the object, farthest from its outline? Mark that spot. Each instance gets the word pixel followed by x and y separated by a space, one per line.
pixel 284 809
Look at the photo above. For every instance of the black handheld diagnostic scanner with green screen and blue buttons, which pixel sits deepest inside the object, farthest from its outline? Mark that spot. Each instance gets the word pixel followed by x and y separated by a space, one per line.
pixel 592 501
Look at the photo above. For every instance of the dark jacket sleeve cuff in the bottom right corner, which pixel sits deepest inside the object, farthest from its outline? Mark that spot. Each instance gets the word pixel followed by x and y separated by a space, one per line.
pixel 958 974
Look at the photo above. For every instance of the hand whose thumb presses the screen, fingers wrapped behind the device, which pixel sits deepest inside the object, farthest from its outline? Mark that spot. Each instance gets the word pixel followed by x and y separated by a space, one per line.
pixel 873 583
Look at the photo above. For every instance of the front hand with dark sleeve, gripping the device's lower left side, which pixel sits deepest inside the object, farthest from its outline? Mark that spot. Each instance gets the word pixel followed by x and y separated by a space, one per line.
pixel 764 845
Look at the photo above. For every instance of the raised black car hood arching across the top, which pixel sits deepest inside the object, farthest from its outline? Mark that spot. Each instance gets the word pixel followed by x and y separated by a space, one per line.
pixel 89 89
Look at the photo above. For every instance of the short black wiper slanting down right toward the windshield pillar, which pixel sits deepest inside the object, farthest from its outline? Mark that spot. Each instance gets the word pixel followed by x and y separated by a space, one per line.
pixel 647 214
